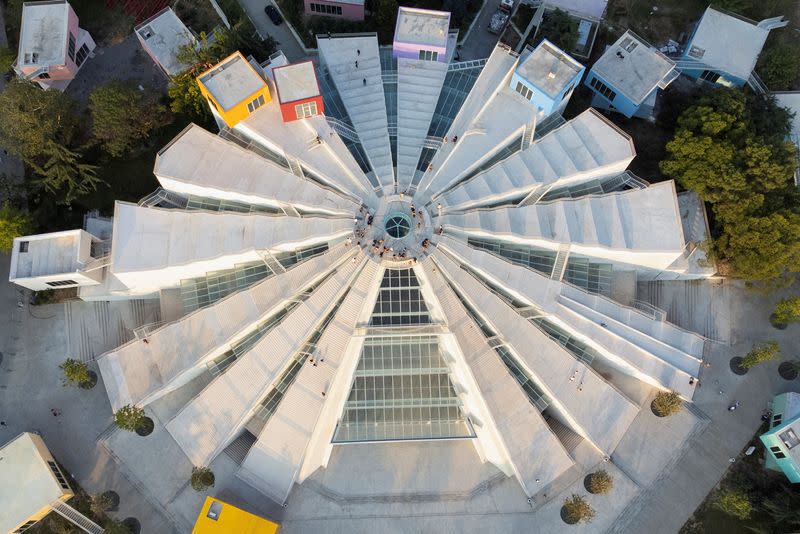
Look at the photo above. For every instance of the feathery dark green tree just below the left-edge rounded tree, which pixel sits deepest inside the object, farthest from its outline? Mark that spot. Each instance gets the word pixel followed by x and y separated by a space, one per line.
pixel 64 173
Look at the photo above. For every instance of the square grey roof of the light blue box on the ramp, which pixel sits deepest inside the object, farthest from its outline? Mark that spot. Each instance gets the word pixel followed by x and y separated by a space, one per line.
pixel 549 68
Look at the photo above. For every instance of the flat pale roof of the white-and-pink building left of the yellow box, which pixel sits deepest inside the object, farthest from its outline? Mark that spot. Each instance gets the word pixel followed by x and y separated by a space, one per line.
pixel 163 35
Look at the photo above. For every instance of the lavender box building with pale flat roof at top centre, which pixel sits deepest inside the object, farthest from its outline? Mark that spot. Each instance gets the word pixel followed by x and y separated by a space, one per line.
pixel 421 34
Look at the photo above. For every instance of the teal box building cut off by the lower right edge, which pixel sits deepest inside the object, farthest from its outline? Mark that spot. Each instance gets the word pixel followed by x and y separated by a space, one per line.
pixel 782 440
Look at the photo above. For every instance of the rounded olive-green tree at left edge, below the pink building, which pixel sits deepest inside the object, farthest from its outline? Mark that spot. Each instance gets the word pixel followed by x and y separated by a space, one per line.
pixel 32 119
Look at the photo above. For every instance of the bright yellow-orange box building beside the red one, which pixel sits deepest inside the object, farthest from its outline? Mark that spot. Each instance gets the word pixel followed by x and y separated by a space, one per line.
pixel 233 89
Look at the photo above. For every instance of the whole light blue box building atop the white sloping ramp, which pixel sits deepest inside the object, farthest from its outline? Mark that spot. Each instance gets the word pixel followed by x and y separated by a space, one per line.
pixel 547 76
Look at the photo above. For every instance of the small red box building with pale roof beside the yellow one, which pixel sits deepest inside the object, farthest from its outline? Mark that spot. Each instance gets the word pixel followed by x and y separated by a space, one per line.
pixel 298 91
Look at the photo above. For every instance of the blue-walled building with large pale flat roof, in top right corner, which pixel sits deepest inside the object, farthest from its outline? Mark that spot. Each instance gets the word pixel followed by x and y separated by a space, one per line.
pixel 724 48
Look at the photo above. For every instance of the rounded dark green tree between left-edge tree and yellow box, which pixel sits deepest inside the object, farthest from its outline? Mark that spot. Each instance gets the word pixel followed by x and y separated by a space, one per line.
pixel 123 116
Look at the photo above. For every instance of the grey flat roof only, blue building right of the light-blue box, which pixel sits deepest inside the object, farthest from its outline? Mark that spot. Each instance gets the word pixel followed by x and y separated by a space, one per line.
pixel 634 68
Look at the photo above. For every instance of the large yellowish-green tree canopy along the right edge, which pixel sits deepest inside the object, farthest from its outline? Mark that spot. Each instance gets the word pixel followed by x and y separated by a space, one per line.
pixel 732 150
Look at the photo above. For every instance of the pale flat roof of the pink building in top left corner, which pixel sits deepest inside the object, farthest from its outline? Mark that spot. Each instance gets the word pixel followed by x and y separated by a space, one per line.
pixel 43 33
